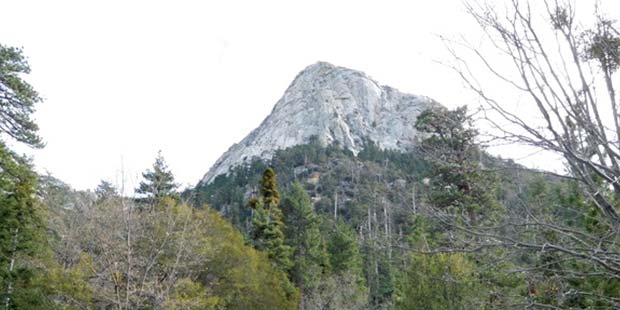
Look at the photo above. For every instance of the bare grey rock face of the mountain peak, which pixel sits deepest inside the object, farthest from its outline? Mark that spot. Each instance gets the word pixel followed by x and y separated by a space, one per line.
pixel 335 105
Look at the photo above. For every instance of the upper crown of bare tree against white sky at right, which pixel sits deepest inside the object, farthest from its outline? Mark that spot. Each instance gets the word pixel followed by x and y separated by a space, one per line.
pixel 560 68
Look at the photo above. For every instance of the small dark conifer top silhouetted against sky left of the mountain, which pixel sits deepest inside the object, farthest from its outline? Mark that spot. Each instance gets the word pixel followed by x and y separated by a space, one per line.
pixel 158 183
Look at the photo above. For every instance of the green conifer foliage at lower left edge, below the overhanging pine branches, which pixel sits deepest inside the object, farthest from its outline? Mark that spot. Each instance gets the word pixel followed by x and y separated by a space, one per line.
pixel 21 233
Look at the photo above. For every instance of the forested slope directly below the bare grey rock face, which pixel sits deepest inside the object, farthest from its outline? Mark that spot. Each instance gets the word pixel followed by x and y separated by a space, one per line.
pixel 384 201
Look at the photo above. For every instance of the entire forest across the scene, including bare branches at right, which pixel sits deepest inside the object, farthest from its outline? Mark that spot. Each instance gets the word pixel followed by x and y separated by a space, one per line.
pixel 445 226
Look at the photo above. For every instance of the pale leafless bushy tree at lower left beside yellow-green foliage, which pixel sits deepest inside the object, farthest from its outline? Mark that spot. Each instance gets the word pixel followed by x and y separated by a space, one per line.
pixel 134 255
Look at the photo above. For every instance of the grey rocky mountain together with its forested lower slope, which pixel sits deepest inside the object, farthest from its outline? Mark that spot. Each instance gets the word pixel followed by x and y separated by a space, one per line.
pixel 367 186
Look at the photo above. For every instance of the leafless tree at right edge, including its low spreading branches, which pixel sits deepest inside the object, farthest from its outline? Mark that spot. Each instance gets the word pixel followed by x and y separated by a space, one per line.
pixel 564 69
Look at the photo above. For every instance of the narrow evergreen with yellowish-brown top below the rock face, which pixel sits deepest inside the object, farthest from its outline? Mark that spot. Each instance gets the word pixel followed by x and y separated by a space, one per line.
pixel 267 224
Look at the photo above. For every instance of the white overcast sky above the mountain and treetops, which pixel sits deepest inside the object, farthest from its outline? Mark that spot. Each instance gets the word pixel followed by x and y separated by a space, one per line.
pixel 124 79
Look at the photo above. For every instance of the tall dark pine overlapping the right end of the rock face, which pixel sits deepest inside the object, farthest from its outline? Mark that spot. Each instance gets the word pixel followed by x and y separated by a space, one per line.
pixel 457 178
